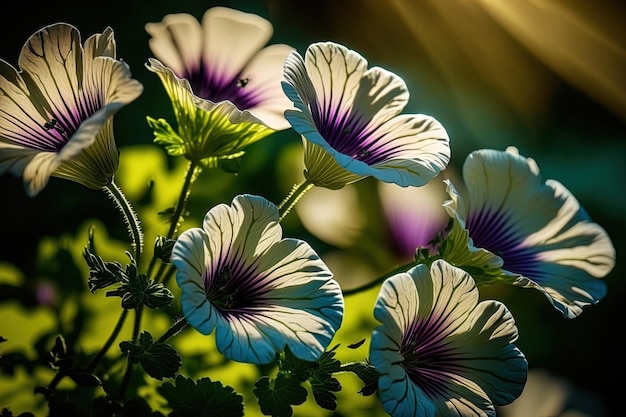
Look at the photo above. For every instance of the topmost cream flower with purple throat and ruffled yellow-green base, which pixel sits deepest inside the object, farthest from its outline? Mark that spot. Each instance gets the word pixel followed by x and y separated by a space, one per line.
pixel 223 83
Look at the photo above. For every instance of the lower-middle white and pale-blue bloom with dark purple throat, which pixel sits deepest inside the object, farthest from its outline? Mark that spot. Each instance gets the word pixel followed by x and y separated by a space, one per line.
pixel 258 291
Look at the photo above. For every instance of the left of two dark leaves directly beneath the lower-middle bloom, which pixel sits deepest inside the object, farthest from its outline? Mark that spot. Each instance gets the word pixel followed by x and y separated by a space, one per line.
pixel 276 396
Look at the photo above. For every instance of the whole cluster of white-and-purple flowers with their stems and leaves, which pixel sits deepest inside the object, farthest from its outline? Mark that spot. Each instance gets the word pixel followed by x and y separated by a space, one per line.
pixel 272 301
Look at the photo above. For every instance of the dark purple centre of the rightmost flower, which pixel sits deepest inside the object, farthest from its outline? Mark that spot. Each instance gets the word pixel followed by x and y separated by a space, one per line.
pixel 496 232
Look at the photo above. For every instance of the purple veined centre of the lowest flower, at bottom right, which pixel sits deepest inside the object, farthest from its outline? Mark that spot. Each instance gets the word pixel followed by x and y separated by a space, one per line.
pixel 427 359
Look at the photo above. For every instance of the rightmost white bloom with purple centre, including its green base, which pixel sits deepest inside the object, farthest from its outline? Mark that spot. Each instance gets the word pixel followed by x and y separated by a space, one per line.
pixel 512 226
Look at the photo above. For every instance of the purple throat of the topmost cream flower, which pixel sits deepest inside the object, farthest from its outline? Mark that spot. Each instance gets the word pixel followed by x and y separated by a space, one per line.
pixel 216 88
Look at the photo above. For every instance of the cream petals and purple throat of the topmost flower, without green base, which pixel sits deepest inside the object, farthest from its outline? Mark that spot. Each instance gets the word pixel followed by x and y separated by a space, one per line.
pixel 224 58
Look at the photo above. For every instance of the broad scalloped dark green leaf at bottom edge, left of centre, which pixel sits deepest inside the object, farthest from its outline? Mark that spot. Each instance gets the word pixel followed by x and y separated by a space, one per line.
pixel 204 399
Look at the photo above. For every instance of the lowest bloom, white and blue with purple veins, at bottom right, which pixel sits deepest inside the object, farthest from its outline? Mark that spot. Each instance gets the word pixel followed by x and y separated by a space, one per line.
pixel 439 351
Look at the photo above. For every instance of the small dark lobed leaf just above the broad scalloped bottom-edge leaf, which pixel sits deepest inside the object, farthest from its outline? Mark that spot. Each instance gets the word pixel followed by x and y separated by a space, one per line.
pixel 159 360
